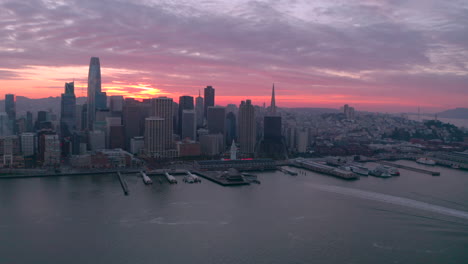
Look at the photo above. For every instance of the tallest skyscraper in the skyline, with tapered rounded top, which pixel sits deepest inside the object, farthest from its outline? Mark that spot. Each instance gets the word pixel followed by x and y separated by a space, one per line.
pixel 96 99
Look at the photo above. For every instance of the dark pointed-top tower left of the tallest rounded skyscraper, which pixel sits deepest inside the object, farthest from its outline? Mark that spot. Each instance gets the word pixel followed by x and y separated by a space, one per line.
pixel 68 108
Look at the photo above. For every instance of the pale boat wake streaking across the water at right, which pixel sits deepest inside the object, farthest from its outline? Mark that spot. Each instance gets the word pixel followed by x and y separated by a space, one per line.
pixel 393 200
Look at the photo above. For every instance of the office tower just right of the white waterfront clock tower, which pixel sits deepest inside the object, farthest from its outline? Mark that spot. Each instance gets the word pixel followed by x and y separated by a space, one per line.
pixel 246 129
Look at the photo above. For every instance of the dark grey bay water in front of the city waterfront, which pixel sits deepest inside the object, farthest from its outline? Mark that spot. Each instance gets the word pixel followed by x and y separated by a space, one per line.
pixel 414 218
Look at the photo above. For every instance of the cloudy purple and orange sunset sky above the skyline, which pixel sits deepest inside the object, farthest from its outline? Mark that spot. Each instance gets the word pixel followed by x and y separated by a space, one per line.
pixel 375 55
